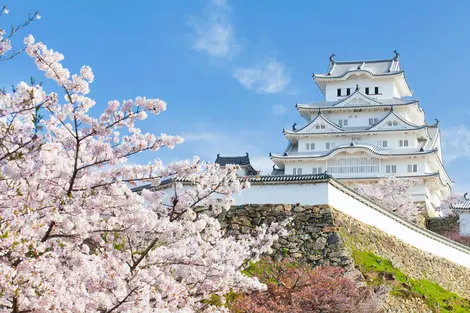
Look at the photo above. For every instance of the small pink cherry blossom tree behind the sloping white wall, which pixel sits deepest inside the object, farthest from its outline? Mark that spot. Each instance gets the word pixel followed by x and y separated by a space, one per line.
pixel 394 194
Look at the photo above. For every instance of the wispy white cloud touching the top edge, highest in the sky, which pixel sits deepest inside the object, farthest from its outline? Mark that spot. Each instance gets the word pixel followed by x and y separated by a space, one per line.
pixel 214 31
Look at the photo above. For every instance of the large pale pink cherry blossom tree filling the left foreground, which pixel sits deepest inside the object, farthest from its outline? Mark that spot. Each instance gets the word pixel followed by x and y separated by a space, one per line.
pixel 73 235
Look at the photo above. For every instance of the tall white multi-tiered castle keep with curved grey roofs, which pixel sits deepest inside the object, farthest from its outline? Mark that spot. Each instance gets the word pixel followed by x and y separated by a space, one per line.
pixel 366 129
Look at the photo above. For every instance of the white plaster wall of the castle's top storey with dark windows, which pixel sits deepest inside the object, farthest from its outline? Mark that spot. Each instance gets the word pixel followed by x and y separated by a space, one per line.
pixel 386 86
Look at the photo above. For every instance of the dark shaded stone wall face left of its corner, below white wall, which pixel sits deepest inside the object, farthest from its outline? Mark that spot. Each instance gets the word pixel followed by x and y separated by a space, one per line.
pixel 313 237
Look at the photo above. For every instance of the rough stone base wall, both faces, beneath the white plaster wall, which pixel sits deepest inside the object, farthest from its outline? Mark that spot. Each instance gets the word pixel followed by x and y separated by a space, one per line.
pixel 320 234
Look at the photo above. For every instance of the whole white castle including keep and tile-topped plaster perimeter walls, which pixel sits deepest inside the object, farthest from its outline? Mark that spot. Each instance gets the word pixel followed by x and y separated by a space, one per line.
pixel 367 128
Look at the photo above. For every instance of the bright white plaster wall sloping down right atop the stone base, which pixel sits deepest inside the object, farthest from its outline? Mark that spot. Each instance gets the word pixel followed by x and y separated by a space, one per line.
pixel 407 232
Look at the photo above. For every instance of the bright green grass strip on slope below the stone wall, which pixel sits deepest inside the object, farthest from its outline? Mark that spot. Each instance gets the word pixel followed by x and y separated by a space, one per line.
pixel 436 297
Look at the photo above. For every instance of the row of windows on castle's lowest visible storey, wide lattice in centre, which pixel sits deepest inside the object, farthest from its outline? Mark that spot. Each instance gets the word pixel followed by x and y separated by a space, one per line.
pixel 352 166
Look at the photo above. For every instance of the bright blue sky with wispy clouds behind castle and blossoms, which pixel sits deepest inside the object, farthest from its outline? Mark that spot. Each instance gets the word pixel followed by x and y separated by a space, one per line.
pixel 232 71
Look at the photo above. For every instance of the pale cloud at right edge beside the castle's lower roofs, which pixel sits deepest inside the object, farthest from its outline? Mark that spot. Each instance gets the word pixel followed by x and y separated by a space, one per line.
pixel 456 143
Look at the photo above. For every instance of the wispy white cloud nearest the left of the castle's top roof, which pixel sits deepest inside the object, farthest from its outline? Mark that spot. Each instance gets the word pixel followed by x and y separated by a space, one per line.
pixel 270 77
